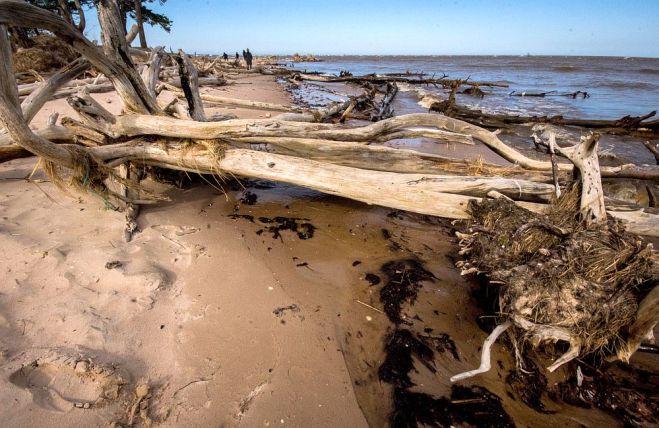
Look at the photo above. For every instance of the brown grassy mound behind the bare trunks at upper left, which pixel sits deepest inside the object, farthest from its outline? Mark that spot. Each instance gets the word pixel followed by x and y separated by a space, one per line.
pixel 48 53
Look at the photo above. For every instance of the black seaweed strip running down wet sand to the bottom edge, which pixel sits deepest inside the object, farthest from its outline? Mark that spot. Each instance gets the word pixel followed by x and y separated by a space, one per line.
pixel 474 406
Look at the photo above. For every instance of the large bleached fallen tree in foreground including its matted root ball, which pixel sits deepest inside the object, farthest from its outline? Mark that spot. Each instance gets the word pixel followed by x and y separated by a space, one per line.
pixel 314 155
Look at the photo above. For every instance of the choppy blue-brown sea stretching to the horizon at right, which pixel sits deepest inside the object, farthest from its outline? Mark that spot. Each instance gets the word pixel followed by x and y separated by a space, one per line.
pixel 617 86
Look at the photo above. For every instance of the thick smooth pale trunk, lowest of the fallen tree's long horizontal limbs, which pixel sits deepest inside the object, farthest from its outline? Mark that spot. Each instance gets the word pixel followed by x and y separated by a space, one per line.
pixel 371 187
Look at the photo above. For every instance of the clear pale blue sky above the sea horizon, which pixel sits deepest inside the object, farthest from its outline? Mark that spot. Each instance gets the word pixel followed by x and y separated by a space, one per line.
pixel 412 27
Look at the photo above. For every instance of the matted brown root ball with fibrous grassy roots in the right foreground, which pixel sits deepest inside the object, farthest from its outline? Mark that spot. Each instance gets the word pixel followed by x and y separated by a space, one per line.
pixel 558 276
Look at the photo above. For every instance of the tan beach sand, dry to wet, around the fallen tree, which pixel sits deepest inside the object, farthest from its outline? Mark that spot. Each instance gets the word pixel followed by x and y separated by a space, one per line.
pixel 208 319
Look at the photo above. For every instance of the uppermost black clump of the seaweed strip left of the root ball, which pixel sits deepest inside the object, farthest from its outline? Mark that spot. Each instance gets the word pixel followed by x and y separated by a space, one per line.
pixel 403 282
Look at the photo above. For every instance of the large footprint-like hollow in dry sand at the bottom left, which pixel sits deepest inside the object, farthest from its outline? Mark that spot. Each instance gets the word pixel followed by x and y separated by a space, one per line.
pixel 61 383
